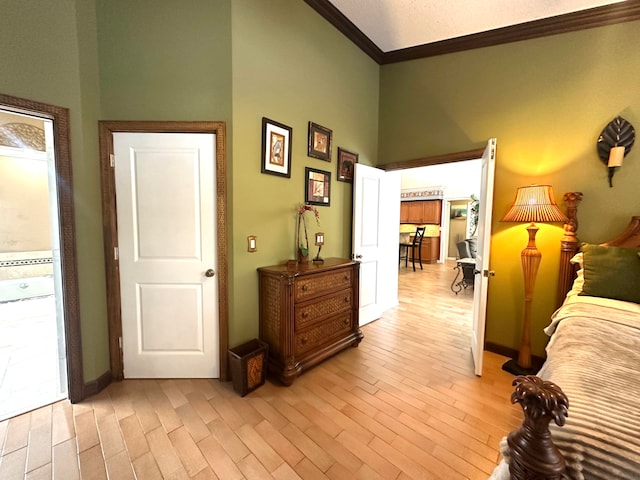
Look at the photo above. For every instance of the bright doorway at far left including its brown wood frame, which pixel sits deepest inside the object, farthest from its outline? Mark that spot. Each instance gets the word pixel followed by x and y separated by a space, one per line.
pixel 38 286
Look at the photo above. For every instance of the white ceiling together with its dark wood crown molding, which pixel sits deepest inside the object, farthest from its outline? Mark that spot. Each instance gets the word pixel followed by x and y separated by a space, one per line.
pixel 397 30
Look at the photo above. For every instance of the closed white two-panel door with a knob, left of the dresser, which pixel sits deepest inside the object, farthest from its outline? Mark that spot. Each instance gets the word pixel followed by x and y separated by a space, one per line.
pixel 165 193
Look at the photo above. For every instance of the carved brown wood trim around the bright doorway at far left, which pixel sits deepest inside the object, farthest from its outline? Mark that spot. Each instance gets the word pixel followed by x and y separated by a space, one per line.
pixel 68 253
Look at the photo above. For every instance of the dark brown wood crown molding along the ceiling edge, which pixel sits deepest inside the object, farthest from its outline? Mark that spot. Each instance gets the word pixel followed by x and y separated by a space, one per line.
pixel 570 22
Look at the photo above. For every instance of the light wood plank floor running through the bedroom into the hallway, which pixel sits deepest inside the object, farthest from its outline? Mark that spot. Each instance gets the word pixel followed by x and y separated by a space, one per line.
pixel 405 404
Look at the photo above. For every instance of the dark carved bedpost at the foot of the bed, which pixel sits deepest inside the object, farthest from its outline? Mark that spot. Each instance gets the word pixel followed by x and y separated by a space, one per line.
pixel 532 454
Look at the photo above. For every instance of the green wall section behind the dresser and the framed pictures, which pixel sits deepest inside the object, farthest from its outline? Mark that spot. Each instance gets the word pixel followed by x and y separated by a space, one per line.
pixel 291 66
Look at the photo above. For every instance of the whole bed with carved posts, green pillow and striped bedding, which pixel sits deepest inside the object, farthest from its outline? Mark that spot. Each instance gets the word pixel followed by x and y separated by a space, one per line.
pixel 582 409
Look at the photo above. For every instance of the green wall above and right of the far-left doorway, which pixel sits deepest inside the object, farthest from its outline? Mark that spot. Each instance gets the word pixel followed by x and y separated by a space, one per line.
pixel 48 55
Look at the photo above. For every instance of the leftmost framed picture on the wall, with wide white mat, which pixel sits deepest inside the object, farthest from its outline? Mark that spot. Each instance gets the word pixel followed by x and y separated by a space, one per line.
pixel 276 148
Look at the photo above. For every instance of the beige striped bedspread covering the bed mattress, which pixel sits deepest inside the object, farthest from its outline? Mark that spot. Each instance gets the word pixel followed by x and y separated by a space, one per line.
pixel 594 356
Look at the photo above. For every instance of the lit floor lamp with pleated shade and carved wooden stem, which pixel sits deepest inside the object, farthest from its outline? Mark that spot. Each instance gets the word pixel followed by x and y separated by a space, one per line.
pixel 534 203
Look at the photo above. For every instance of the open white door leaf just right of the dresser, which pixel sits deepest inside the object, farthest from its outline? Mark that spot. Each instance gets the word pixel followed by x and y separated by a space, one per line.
pixel 376 216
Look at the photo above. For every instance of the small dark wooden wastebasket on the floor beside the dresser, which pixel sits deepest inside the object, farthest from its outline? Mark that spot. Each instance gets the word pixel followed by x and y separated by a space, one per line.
pixel 248 365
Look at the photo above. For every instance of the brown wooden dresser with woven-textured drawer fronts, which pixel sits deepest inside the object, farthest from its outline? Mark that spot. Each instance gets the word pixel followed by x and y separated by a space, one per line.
pixel 308 312
